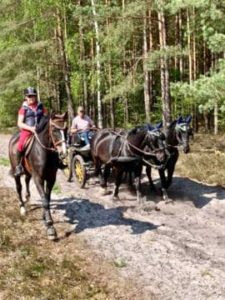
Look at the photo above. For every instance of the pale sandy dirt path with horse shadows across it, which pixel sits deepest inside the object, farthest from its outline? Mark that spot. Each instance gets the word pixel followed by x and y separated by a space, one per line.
pixel 174 252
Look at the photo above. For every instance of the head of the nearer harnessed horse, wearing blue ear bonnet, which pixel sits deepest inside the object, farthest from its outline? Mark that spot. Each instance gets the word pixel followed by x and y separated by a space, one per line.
pixel 155 141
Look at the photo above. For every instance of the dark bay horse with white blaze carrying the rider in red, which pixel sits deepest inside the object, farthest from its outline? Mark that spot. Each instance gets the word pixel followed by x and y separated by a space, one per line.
pixel 41 162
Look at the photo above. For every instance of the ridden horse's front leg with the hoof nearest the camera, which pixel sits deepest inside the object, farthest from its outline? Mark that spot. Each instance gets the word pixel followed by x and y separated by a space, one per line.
pixel 45 197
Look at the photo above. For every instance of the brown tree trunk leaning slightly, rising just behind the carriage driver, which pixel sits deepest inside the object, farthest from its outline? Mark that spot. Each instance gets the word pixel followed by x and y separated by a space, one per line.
pixel 65 66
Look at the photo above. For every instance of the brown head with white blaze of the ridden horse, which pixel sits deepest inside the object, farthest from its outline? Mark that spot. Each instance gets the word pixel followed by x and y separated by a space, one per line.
pixel 58 127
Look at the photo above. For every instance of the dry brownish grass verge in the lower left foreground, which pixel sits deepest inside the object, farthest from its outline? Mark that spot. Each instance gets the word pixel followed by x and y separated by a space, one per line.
pixel 34 268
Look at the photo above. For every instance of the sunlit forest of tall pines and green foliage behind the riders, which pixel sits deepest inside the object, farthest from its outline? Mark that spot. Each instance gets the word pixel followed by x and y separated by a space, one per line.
pixel 127 62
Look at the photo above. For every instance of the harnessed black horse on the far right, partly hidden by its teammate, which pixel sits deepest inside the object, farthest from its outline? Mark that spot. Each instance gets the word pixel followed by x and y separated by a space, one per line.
pixel 177 136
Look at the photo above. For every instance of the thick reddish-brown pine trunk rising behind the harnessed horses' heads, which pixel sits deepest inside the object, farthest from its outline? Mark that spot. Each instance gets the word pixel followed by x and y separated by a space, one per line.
pixel 164 72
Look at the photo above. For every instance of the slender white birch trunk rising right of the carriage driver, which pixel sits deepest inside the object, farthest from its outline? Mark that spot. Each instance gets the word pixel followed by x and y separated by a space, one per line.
pixel 98 64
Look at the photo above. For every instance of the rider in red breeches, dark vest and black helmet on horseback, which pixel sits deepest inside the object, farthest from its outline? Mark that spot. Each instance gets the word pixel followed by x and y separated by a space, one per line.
pixel 29 116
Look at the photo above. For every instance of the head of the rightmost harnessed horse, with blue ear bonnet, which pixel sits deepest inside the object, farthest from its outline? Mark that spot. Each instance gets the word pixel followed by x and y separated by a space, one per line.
pixel 182 132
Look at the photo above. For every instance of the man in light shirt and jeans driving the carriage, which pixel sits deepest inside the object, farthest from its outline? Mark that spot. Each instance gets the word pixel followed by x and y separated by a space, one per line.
pixel 82 126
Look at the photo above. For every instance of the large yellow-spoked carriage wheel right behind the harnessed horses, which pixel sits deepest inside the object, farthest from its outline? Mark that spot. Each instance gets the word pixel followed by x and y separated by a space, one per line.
pixel 79 170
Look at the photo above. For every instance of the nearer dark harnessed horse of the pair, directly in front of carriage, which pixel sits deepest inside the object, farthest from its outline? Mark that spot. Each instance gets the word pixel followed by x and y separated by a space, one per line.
pixel 125 153
